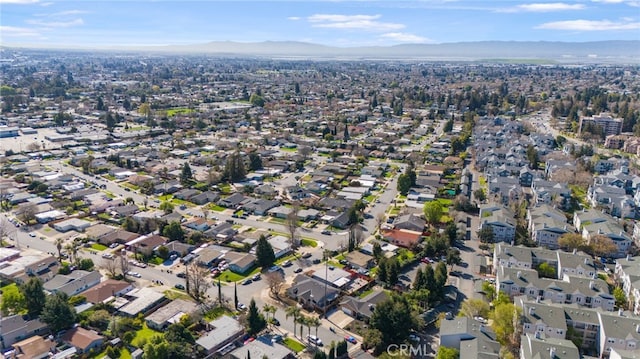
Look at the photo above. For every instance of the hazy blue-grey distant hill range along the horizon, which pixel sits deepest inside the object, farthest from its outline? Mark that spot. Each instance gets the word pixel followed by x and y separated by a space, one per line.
pixel 601 51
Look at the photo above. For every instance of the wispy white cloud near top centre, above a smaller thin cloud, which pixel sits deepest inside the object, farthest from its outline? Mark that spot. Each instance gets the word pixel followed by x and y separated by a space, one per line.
pixel 353 22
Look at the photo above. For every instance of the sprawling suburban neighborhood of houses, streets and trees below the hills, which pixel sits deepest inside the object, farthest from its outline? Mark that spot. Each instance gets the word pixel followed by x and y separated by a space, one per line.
pixel 187 207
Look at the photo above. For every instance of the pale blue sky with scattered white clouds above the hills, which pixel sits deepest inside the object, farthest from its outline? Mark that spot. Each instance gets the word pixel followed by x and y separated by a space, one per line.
pixel 90 23
